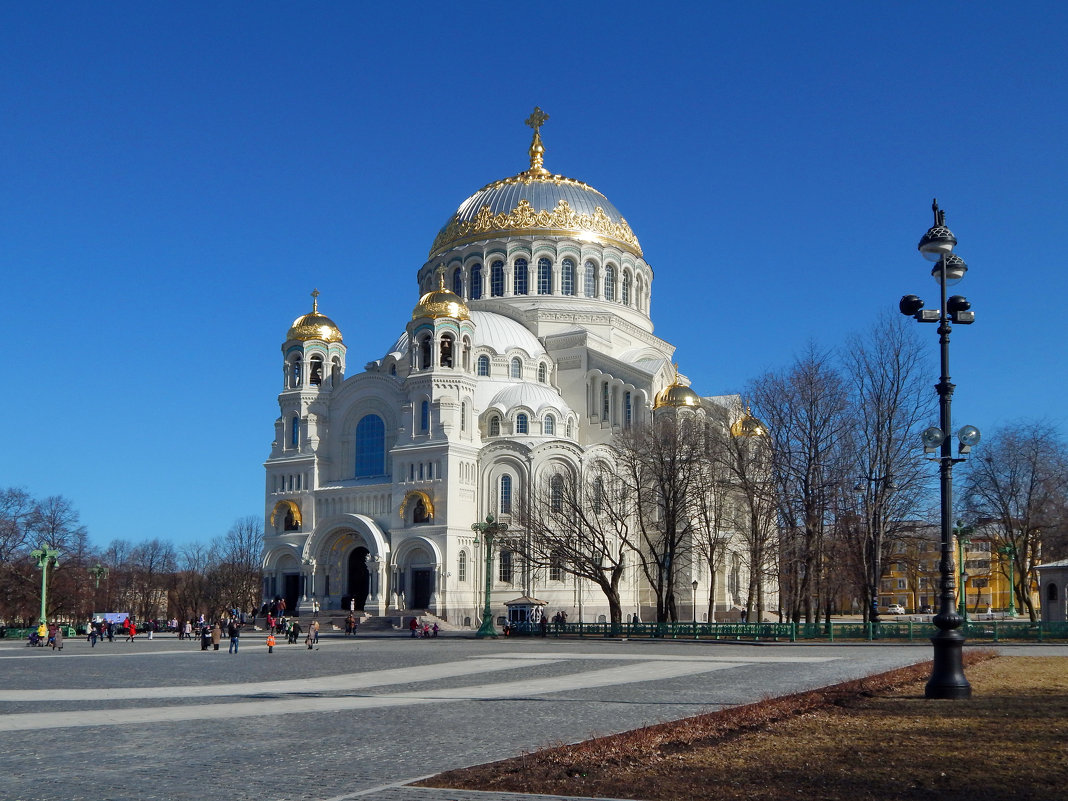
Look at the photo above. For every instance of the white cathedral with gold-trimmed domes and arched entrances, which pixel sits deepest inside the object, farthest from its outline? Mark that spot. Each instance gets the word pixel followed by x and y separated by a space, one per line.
pixel 530 347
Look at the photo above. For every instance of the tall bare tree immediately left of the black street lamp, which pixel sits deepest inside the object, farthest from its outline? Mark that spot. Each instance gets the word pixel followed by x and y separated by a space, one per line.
pixel 890 403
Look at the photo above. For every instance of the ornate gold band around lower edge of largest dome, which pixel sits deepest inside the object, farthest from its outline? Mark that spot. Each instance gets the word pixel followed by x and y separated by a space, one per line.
pixel 562 221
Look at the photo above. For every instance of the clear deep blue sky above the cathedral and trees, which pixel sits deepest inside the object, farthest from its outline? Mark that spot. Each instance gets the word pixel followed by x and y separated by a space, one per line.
pixel 176 179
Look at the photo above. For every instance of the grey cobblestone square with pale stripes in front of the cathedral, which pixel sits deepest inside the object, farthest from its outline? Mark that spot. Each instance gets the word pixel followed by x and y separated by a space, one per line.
pixel 358 718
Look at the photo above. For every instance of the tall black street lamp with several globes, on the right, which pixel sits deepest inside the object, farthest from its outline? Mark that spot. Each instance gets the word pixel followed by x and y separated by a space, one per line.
pixel 948 676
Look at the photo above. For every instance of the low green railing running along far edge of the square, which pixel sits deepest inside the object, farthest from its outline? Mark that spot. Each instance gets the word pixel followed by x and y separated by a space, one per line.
pixel 836 632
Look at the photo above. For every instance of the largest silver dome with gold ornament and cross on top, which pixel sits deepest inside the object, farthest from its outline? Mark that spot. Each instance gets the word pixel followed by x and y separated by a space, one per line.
pixel 537 203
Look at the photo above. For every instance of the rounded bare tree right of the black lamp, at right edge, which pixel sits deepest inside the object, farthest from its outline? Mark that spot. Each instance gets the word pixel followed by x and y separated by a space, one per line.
pixel 1018 480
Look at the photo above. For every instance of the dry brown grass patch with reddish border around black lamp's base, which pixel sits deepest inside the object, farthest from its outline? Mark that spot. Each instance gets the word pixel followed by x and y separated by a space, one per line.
pixel 877 739
